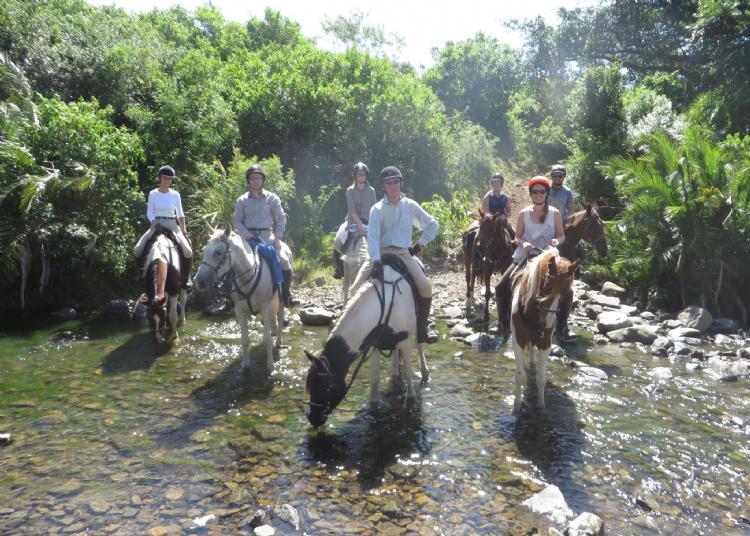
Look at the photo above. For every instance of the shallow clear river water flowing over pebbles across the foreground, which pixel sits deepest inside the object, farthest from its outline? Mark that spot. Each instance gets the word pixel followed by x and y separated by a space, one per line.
pixel 111 435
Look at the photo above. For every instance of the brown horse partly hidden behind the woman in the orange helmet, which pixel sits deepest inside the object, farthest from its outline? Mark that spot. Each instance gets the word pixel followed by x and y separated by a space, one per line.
pixel 583 225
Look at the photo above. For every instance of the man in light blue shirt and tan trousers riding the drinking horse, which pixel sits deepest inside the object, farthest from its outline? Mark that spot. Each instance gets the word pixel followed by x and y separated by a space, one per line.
pixel 390 231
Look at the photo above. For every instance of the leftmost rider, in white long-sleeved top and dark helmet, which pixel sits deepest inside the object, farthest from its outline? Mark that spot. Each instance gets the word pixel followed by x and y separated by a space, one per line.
pixel 165 208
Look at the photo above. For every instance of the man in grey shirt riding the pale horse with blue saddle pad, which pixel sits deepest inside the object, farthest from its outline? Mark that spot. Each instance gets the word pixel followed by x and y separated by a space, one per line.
pixel 254 213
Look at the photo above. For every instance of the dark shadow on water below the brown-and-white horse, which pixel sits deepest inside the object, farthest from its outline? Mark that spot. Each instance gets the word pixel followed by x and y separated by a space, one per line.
pixel 553 440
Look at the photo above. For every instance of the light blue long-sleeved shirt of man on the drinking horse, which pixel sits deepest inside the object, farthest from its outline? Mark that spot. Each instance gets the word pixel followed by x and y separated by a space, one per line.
pixel 391 224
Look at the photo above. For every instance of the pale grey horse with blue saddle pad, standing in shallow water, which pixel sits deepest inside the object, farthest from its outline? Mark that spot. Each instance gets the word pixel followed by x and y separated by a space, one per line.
pixel 228 256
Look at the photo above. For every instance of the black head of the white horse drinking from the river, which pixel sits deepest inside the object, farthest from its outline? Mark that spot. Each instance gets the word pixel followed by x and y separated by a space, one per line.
pixel 326 388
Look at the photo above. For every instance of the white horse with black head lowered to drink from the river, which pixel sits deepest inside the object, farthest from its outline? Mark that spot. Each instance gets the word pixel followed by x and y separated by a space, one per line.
pixel 379 317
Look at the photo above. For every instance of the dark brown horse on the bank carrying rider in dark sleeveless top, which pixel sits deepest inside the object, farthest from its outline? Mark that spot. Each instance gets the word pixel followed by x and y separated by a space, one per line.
pixel 487 249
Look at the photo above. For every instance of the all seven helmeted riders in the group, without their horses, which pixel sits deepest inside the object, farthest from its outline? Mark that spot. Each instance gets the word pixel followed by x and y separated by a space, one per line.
pixel 388 224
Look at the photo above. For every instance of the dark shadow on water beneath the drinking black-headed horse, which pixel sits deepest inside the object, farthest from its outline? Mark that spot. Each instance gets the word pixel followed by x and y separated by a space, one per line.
pixel 374 439
